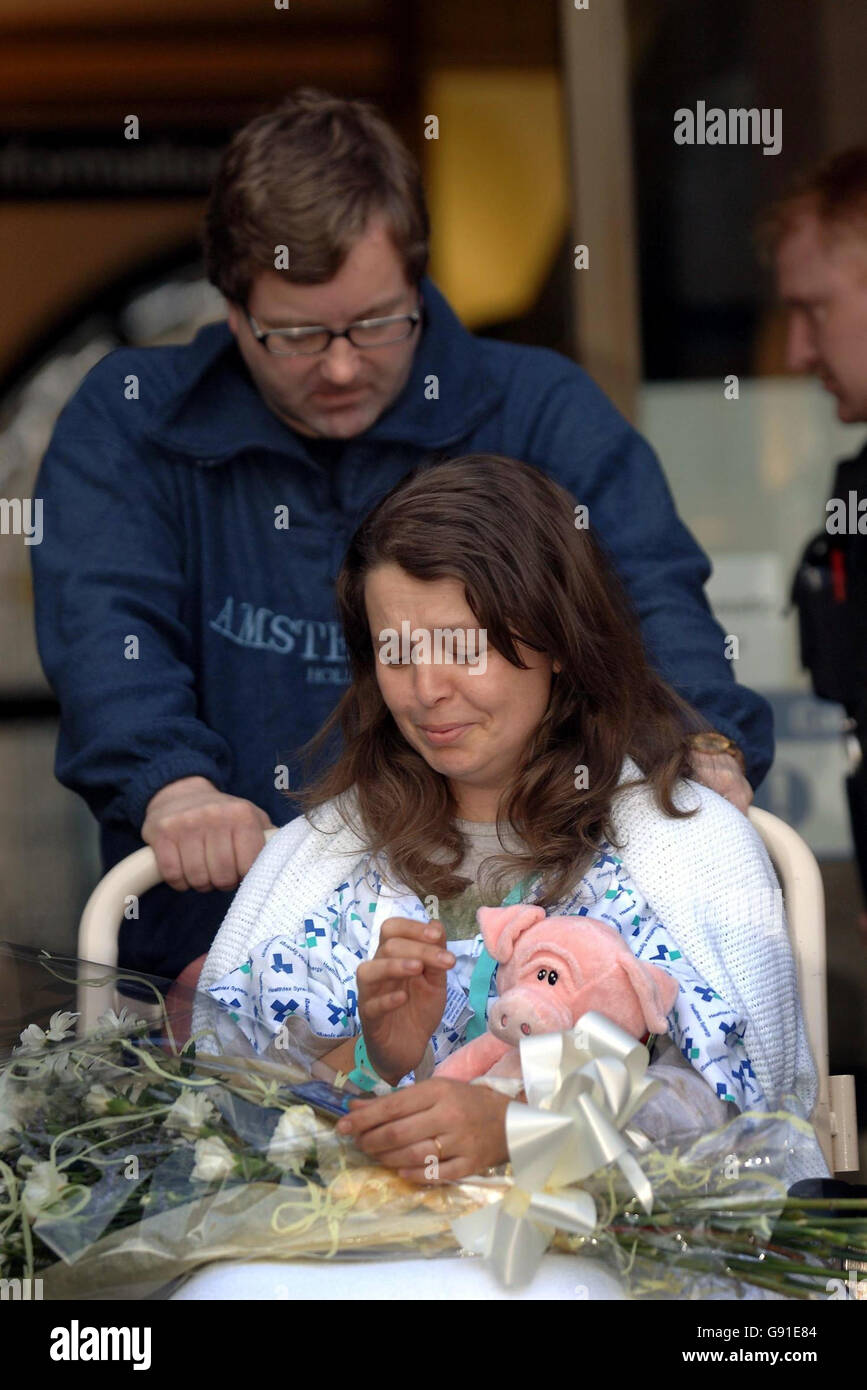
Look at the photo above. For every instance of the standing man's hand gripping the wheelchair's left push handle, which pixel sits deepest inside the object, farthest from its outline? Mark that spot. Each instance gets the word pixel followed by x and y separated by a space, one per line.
pixel 204 839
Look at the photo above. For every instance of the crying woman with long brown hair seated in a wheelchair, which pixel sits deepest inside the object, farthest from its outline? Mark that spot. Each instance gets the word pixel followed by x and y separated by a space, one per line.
pixel 504 735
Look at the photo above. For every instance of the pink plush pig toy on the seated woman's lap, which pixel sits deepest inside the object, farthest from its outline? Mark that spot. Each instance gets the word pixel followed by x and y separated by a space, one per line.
pixel 552 971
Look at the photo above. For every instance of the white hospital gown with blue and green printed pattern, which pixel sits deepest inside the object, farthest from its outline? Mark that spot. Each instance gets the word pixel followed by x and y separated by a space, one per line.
pixel 306 981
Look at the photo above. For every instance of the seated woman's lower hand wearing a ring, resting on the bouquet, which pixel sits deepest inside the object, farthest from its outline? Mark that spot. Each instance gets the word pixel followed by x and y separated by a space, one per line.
pixel 436 1131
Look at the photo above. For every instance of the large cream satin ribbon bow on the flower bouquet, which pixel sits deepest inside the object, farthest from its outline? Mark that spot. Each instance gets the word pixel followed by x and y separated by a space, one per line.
pixel 581 1089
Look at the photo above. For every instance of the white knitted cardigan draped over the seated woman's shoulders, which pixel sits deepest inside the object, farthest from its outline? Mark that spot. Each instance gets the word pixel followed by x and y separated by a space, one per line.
pixel 708 878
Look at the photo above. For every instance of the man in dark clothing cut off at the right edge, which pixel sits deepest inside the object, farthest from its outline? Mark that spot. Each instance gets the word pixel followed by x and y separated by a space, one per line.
pixel 818 238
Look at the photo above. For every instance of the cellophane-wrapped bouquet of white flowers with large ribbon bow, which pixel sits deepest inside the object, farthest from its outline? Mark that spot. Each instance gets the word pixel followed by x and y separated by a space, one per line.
pixel 129 1161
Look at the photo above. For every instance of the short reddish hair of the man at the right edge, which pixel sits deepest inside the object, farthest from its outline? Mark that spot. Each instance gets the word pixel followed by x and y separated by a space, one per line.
pixel 836 194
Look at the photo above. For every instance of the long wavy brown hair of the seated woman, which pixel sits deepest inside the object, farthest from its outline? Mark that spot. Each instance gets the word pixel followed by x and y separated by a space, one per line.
pixel 531 575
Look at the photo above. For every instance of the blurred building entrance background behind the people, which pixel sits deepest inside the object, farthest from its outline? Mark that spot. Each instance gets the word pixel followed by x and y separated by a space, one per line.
pixel 555 130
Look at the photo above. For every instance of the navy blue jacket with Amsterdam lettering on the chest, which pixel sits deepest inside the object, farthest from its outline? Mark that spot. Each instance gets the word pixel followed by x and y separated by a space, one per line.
pixel 159 526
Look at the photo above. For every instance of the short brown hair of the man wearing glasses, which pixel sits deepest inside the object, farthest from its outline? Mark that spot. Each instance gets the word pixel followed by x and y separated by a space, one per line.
pixel 309 176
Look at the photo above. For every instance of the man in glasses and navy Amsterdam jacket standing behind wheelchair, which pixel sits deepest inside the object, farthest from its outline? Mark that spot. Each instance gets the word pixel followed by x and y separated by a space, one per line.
pixel 198 502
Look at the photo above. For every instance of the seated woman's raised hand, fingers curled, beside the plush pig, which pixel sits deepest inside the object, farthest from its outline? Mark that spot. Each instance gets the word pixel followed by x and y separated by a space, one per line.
pixel 402 995
